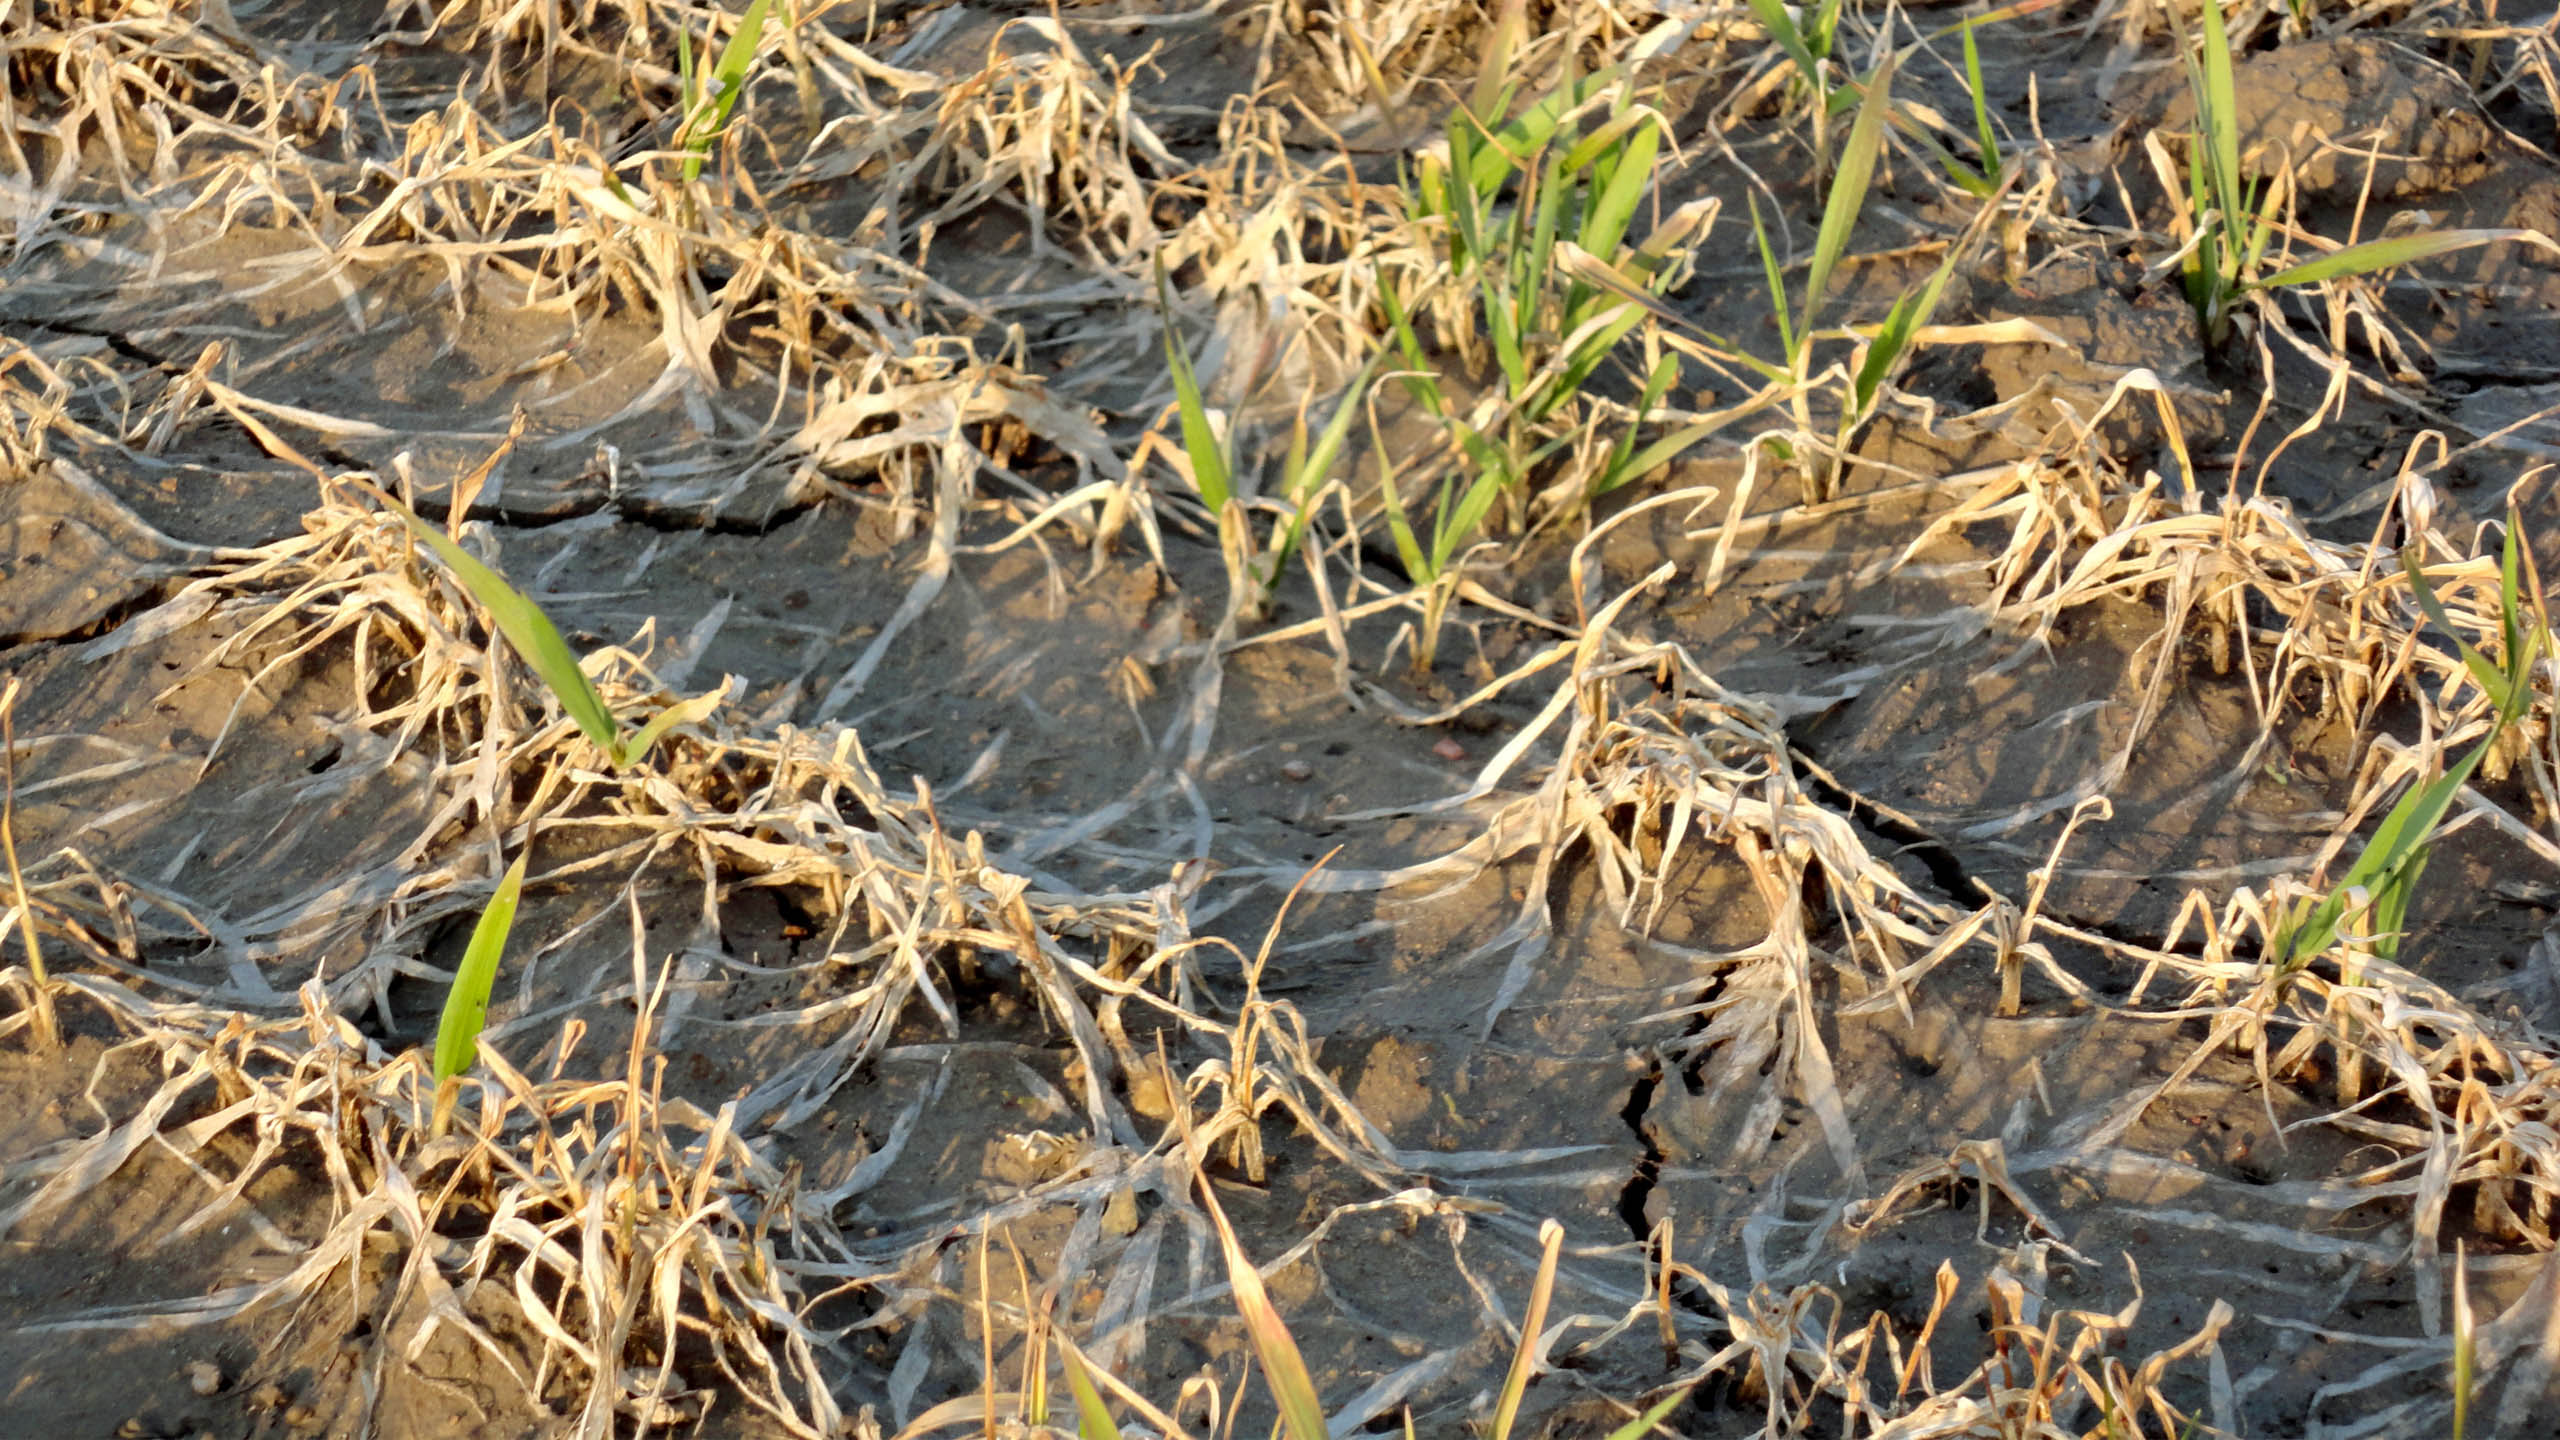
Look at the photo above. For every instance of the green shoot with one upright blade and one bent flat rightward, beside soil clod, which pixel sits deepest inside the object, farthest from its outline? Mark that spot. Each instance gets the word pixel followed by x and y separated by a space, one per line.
pixel 2231 219
